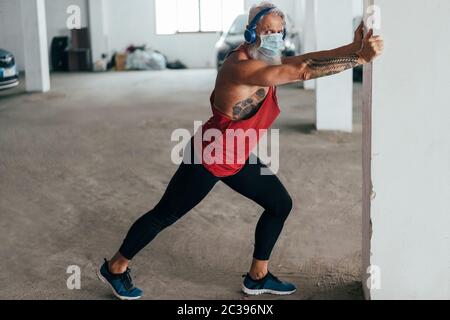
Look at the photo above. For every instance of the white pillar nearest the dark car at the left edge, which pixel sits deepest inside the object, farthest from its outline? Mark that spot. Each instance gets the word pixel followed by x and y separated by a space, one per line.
pixel 37 75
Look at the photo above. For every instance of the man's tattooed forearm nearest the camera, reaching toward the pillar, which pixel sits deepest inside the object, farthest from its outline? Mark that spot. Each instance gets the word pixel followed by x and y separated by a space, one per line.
pixel 316 68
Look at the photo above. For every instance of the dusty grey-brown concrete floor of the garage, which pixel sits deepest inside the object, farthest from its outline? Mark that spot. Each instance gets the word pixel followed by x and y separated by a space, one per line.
pixel 78 165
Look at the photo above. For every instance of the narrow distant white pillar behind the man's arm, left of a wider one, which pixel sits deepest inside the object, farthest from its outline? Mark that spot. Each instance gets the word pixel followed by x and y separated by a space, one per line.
pixel 309 35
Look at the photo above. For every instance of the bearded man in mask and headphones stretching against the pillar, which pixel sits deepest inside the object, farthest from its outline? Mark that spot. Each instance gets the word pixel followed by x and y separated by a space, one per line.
pixel 244 98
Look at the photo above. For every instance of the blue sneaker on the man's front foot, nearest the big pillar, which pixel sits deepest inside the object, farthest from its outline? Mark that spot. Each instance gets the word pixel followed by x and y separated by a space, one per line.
pixel 269 284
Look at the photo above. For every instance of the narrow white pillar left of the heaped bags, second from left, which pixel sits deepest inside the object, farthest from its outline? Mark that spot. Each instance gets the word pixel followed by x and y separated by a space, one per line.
pixel 98 29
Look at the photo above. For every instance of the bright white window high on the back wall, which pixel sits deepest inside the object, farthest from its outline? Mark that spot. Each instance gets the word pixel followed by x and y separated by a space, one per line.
pixel 175 16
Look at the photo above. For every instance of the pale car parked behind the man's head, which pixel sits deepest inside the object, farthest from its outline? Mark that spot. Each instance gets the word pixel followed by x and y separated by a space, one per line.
pixel 234 36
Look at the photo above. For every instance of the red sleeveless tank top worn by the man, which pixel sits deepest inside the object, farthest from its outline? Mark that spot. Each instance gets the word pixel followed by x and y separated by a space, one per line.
pixel 226 144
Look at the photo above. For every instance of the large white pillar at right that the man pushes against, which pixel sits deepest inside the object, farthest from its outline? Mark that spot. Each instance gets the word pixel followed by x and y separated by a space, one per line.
pixel 407 154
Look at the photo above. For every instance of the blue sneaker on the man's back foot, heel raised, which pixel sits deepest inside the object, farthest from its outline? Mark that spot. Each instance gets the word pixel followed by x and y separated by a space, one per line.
pixel 121 285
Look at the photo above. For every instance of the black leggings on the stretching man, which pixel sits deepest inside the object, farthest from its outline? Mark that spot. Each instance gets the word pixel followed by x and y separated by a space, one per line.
pixel 192 183
